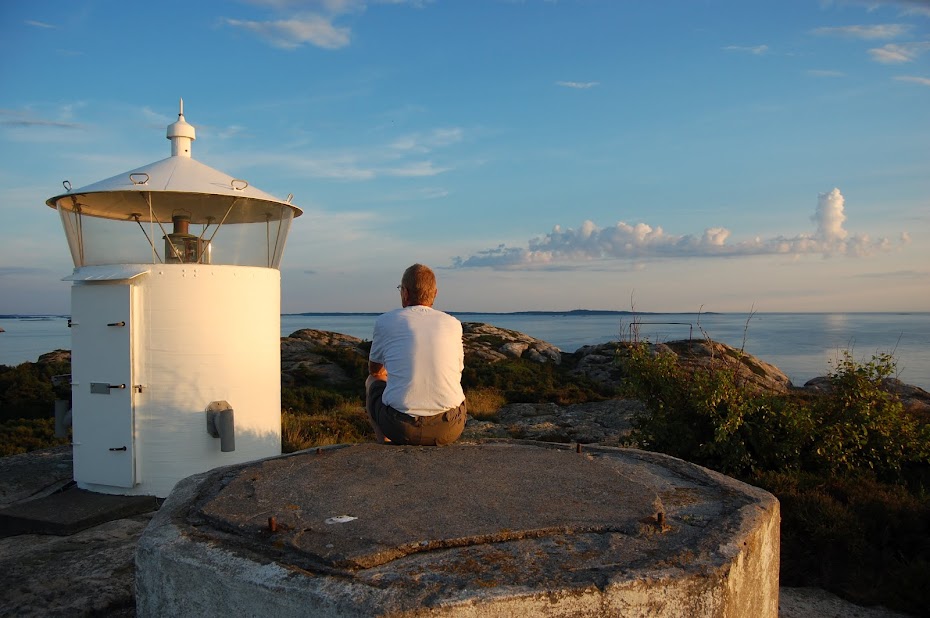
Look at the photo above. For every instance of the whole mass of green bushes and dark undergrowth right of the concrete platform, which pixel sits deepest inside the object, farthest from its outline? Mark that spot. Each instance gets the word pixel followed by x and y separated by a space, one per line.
pixel 850 465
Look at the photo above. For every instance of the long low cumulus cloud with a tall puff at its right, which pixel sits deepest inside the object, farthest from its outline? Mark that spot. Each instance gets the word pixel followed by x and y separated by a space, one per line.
pixel 642 241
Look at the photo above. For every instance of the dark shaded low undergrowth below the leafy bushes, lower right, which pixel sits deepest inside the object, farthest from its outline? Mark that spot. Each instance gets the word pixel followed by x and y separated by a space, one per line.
pixel 866 540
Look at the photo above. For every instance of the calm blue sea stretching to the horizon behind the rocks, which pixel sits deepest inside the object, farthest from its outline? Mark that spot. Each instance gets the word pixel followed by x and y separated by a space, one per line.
pixel 803 345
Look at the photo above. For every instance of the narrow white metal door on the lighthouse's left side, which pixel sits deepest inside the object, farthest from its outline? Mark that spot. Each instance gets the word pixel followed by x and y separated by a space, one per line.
pixel 102 387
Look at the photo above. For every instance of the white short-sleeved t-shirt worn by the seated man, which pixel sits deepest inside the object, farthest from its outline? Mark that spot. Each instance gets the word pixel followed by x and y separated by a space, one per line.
pixel 421 349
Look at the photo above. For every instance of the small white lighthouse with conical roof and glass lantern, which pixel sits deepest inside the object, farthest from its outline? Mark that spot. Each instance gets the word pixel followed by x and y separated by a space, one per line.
pixel 175 321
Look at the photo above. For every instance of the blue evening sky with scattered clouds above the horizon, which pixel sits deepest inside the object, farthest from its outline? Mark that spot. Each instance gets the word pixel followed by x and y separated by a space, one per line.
pixel 552 155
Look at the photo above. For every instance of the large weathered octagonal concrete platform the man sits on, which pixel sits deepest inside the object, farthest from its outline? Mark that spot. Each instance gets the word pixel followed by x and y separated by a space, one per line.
pixel 492 529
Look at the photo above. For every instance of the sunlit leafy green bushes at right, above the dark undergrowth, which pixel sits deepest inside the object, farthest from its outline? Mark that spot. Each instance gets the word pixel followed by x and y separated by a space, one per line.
pixel 708 416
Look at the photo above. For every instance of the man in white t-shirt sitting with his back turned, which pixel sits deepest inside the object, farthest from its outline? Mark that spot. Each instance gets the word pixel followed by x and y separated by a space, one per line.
pixel 414 393
